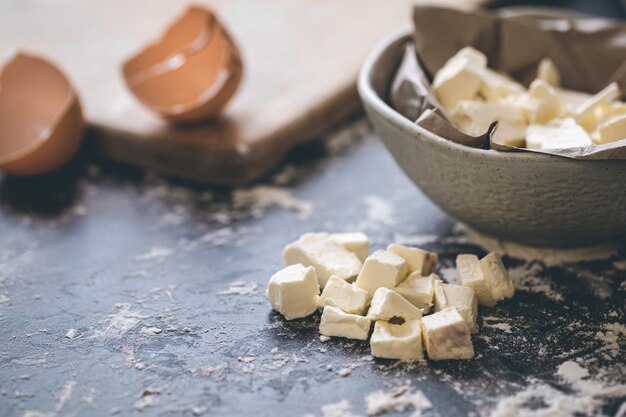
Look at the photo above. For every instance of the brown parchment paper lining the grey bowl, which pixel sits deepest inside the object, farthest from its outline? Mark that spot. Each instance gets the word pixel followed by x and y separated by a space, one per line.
pixel 589 52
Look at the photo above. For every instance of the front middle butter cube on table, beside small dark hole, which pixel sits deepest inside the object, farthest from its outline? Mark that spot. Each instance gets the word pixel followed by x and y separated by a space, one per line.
pixel 397 341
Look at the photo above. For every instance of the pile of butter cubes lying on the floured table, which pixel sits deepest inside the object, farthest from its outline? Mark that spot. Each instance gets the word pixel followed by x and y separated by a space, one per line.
pixel 396 288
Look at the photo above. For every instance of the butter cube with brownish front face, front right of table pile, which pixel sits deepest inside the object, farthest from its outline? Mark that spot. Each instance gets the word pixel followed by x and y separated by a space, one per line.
pixel 447 336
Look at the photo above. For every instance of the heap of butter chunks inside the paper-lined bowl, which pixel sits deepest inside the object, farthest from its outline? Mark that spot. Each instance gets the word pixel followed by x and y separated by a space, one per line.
pixel 544 116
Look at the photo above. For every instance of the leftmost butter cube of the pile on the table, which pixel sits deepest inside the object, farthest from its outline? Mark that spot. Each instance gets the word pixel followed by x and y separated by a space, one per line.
pixel 294 291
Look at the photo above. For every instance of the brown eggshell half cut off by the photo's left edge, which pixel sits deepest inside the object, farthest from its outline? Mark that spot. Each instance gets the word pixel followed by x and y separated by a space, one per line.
pixel 41 122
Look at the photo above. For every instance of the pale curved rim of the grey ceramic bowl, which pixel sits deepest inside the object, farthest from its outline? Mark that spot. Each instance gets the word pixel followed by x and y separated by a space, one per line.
pixel 371 98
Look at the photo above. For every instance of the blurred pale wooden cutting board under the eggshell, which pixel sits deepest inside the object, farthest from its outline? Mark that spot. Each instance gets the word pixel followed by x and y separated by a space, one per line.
pixel 301 61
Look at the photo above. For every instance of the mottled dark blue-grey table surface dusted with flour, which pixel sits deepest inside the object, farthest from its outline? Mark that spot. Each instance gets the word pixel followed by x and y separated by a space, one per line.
pixel 125 293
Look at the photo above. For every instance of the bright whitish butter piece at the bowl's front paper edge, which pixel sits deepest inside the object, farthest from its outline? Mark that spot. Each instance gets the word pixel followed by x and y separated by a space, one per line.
pixel 562 133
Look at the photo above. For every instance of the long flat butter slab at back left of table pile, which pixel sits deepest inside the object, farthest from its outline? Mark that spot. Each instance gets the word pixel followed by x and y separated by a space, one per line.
pixel 327 257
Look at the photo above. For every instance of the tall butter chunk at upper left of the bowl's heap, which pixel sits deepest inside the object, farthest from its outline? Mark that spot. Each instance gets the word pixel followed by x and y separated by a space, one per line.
pixel 460 77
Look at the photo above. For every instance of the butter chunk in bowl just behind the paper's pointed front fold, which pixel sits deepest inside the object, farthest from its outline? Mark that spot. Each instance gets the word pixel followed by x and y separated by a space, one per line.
pixel 475 117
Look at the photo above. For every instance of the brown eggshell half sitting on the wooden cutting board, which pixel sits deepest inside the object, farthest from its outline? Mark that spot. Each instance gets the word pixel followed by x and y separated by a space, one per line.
pixel 191 73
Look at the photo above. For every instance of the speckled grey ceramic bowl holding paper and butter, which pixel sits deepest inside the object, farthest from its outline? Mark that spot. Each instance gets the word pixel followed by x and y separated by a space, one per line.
pixel 531 198
